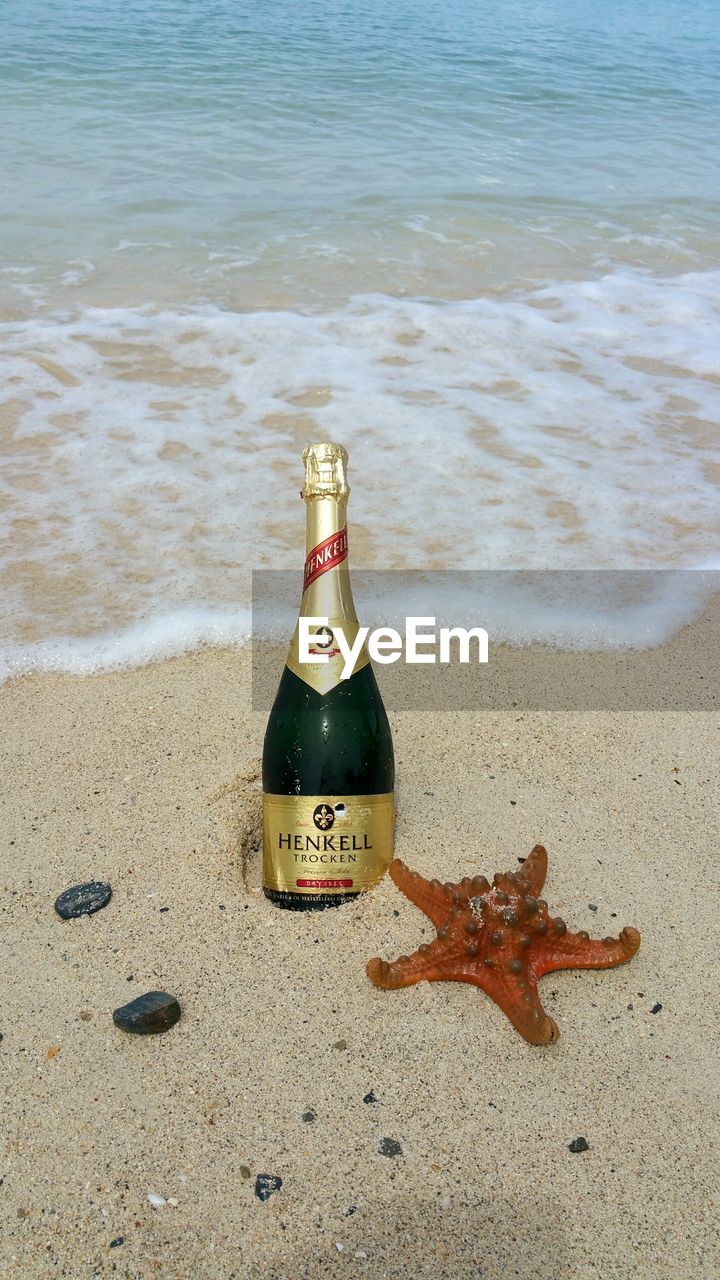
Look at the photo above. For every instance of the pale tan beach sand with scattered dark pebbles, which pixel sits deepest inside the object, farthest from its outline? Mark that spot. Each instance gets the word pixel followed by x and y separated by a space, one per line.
pixel 149 779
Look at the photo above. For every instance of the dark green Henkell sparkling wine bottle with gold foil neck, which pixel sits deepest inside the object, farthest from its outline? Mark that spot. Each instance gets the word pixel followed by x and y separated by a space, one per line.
pixel 329 769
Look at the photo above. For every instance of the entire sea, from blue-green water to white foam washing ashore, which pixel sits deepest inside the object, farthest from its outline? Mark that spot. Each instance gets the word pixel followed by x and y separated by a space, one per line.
pixel 475 241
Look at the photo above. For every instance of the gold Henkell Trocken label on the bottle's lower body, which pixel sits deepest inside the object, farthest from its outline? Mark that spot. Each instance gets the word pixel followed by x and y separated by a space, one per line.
pixel 327 845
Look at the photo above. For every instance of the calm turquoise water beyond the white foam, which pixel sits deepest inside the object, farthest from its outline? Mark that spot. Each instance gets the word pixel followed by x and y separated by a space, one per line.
pixel 252 148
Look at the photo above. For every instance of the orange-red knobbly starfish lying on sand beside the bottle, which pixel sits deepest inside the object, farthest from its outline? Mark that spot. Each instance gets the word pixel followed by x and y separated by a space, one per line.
pixel 502 939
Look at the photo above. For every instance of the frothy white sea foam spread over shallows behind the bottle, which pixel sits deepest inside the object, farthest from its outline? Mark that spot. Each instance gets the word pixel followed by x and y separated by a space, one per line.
pixel 154 459
